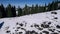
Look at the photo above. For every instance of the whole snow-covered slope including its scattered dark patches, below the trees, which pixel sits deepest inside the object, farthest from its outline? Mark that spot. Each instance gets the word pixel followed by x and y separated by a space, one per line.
pixel 48 22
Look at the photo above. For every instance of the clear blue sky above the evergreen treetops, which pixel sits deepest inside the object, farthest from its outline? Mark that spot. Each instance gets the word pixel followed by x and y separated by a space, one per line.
pixel 21 3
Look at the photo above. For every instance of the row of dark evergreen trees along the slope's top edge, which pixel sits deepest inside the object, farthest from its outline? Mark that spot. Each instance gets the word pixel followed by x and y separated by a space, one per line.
pixel 10 11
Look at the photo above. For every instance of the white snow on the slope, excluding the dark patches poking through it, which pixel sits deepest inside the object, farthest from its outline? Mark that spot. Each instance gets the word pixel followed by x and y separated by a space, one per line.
pixel 29 20
